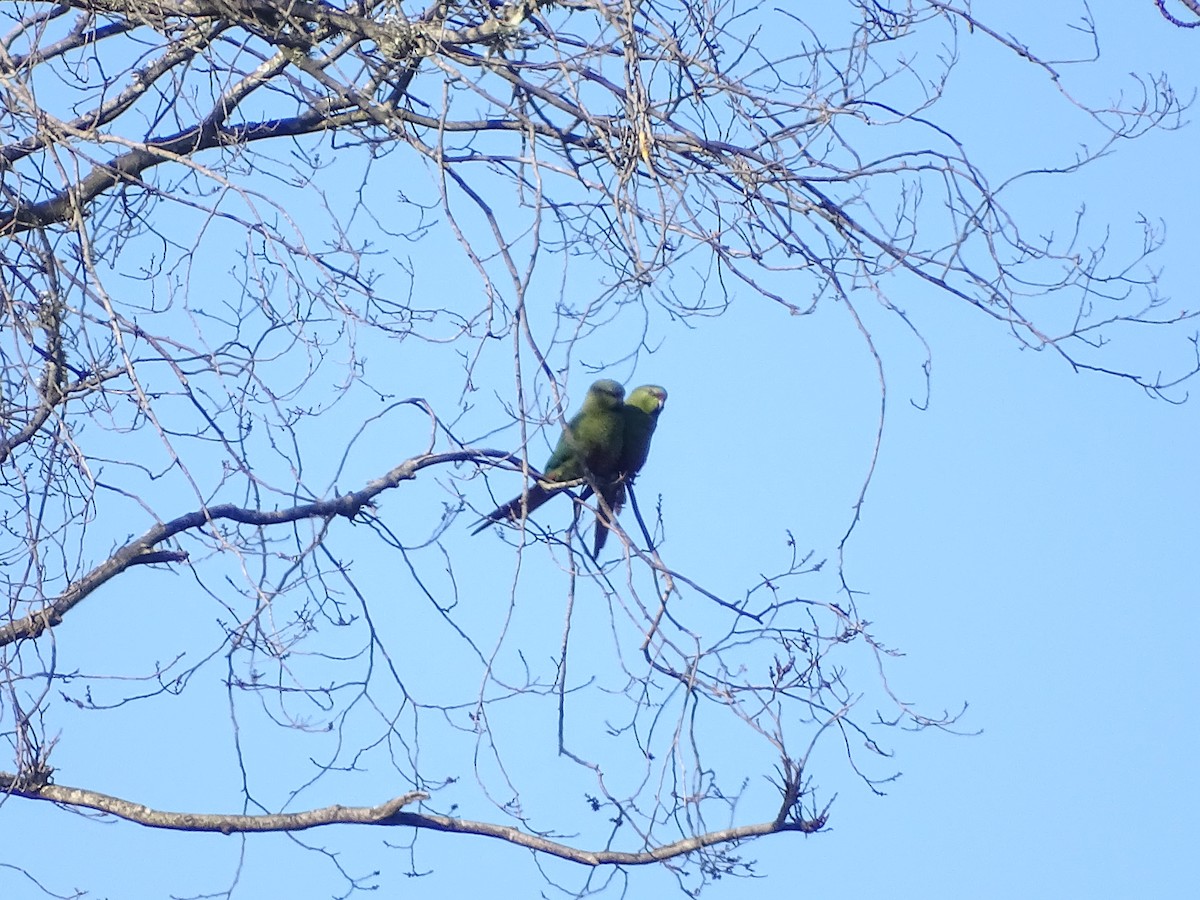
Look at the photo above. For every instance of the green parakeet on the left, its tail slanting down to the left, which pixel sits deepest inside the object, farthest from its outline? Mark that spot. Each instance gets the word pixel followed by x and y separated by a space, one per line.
pixel 591 446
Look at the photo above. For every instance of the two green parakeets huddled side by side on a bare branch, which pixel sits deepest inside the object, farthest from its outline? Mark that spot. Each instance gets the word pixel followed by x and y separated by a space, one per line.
pixel 607 442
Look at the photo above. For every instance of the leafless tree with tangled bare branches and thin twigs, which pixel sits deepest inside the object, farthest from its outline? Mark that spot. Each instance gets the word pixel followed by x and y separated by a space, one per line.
pixel 227 225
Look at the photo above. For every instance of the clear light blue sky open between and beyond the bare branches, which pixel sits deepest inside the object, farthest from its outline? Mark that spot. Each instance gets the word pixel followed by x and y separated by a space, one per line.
pixel 1029 543
